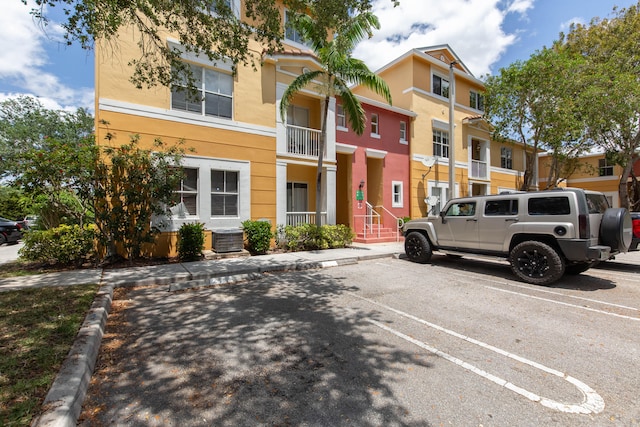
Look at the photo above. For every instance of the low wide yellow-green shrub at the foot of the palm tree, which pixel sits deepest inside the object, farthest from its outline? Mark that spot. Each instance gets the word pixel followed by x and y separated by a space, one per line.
pixel 307 237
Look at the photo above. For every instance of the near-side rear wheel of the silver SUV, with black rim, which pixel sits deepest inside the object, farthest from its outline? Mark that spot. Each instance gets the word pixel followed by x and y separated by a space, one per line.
pixel 536 263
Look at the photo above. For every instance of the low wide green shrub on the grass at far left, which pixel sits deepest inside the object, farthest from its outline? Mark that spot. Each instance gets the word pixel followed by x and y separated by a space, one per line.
pixel 65 245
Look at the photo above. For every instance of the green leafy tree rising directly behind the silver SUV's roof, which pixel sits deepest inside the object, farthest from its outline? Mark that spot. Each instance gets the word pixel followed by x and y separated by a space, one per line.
pixel 534 103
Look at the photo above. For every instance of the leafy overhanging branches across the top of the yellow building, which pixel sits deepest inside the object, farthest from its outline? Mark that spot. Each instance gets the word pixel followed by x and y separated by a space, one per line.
pixel 205 27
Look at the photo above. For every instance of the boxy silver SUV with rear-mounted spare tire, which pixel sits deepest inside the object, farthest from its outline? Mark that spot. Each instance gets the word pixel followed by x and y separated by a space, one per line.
pixel 543 234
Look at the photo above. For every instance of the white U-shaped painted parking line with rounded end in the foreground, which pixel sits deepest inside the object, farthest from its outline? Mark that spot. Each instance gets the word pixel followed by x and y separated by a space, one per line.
pixel 592 403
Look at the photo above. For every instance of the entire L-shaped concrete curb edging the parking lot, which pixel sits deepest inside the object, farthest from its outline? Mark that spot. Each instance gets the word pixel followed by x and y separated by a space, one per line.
pixel 63 404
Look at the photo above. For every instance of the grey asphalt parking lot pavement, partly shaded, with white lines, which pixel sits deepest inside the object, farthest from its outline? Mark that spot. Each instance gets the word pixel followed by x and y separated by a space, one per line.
pixel 385 342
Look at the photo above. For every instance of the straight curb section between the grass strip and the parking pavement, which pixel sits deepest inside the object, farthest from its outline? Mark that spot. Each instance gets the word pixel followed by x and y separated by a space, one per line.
pixel 63 403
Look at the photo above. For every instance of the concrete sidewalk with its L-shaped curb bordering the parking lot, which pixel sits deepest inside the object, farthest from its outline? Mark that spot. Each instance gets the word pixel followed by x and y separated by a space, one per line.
pixel 63 403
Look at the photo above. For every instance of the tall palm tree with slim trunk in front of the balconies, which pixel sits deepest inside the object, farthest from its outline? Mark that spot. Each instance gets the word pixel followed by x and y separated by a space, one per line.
pixel 338 70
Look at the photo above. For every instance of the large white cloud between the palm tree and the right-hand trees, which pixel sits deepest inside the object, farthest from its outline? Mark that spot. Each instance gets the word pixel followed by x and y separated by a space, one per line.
pixel 472 28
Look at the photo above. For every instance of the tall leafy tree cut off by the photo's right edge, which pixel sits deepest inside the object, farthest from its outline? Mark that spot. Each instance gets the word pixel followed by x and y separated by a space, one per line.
pixel 610 95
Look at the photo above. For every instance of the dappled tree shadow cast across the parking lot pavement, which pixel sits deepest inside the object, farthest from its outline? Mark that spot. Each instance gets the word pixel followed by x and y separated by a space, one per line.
pixel 276 351
